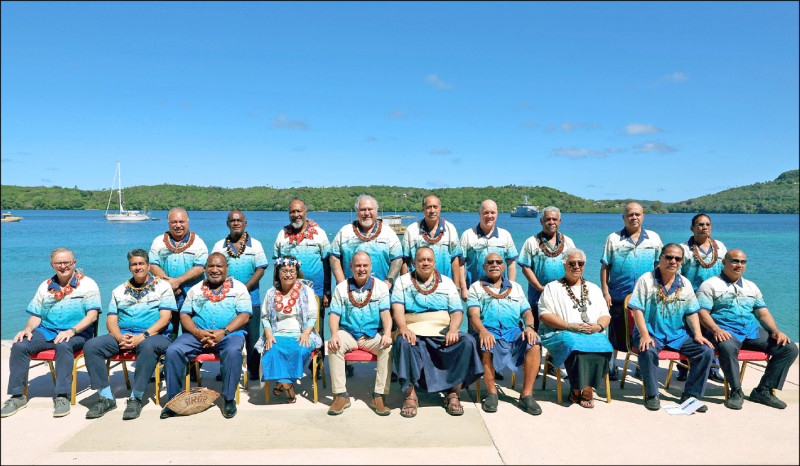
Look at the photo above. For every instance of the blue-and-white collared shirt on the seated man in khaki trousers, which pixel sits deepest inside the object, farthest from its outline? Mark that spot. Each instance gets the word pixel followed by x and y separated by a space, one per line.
pixel 360 321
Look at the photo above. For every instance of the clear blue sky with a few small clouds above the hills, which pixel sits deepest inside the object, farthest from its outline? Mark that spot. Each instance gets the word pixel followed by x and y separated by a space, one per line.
pixel 602 100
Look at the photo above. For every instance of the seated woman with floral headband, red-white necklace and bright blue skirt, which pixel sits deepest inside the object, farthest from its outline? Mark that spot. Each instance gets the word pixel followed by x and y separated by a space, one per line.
pixel 289 335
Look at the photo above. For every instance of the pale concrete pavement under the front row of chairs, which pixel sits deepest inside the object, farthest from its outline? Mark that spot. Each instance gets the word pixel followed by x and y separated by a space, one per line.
pixel 278 433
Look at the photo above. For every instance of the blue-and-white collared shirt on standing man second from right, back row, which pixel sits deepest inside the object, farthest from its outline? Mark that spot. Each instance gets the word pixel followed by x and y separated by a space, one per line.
pixel 628 261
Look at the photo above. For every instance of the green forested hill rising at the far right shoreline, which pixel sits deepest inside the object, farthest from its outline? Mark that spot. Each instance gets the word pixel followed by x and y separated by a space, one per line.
pixel 772 197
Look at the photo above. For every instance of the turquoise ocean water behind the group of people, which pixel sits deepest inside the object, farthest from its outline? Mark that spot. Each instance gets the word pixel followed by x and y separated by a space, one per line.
pixel 770 242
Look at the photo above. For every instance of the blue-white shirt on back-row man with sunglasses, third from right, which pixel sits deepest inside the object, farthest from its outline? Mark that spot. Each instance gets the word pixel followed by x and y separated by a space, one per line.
pixel 476 246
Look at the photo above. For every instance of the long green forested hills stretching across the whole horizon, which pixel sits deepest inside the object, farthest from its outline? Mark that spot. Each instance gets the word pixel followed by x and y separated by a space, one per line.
pixel 779 196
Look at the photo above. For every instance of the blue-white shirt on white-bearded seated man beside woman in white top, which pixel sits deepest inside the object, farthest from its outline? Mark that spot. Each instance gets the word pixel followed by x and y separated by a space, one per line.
pixel 501 317
